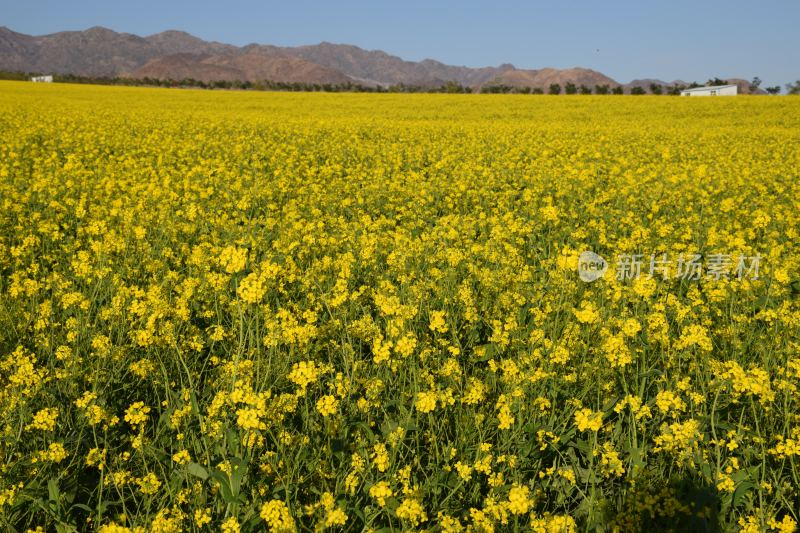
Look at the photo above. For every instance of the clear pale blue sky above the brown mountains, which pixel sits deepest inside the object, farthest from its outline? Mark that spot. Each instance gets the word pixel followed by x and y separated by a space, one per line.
pixel 691 40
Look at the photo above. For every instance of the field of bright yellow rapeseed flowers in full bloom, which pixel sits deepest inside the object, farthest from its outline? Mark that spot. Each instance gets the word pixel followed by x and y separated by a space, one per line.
pixel 232 312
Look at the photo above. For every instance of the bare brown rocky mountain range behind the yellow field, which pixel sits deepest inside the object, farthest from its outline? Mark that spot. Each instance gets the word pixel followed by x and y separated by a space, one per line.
pixel 176 55
